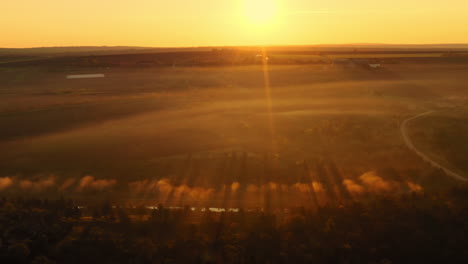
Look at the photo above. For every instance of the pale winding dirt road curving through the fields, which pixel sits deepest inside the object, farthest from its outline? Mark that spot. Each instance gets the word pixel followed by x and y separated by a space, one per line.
pixel 426 158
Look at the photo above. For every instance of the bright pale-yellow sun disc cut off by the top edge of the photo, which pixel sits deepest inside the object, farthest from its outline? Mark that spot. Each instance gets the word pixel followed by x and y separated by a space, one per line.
pixel 260 11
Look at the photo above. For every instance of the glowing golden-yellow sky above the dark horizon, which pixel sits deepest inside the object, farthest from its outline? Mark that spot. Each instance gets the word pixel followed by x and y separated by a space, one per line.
pixel 163 23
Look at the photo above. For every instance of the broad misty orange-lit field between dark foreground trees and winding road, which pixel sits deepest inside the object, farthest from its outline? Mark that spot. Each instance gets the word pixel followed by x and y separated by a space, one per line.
pixel 209 135
